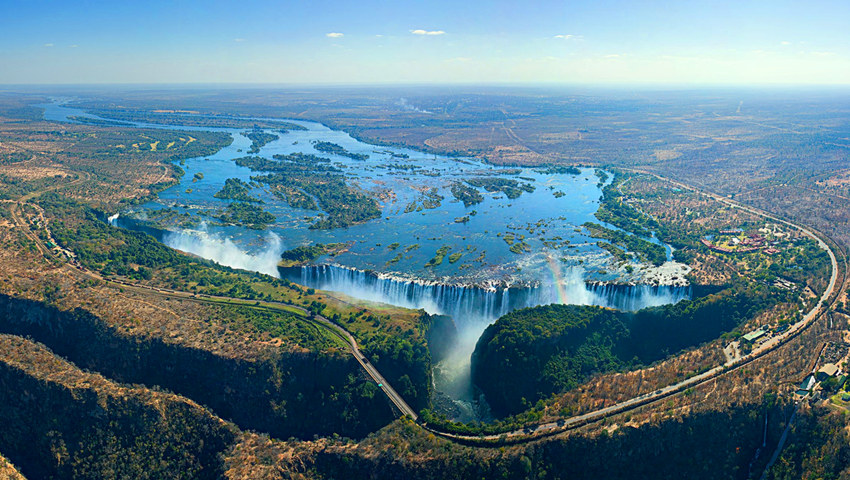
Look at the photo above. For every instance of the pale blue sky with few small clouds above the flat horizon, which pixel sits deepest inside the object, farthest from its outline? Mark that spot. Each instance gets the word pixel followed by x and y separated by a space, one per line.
pixel 688 42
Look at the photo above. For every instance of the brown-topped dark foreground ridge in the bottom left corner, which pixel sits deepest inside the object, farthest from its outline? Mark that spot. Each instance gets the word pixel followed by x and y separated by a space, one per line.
pixel 60 422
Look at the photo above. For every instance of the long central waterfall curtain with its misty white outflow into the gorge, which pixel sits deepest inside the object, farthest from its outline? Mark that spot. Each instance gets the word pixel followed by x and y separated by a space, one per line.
pixel 473 309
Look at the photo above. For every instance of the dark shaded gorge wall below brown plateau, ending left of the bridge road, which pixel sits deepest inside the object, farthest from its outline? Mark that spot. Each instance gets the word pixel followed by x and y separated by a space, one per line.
pixel 282 393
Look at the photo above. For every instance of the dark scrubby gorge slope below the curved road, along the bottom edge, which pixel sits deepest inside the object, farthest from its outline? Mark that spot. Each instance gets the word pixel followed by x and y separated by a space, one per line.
pixel 706 445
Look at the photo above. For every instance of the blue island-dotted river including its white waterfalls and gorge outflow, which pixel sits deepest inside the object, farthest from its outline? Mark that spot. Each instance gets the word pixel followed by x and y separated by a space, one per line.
pixel 487 280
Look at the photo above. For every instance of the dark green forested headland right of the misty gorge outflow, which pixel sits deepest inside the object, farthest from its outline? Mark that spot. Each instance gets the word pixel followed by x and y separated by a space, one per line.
pixel 530 354
